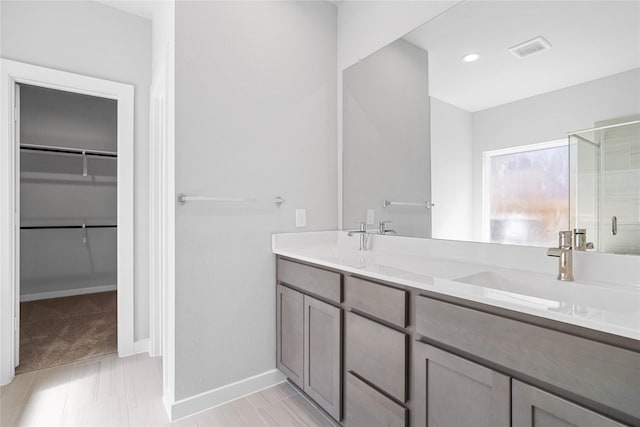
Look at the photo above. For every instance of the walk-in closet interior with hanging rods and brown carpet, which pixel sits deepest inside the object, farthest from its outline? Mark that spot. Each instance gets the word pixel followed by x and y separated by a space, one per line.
pixel 68 226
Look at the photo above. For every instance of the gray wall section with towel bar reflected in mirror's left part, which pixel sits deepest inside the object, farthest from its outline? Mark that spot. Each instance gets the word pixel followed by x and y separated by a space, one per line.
pixel 386 138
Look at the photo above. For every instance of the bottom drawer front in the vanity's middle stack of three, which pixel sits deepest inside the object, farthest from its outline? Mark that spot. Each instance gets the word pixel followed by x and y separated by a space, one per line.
pixel 366 407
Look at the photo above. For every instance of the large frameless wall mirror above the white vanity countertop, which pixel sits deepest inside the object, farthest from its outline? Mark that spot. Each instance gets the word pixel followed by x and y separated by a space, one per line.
pixel 500 122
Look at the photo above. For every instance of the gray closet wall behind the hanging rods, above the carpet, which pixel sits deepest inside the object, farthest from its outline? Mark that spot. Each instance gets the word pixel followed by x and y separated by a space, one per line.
pixel 54 192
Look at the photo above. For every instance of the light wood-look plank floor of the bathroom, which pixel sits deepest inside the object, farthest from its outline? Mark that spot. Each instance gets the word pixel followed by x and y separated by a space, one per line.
pixel 112 391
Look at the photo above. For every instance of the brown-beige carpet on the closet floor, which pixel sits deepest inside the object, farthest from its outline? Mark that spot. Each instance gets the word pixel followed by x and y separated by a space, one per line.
pixel 63 330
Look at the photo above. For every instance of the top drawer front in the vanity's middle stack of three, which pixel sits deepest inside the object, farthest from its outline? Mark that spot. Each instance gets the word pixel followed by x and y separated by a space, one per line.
pixel 381 301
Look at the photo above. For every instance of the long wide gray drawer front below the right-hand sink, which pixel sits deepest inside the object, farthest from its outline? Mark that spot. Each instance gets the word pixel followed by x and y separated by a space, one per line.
pixel 602 373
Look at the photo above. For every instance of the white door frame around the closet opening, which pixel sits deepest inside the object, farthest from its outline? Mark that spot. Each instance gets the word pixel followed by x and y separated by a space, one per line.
pixel 12 72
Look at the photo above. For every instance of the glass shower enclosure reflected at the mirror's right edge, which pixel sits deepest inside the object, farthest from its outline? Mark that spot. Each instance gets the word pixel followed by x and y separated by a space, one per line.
pixel 605 195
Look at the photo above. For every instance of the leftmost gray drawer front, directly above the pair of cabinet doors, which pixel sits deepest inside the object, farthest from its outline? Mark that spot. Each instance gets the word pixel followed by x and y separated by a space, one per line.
pixel 326 284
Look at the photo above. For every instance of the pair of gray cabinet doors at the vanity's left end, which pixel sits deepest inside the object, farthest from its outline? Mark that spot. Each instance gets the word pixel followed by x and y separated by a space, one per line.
pixel 309 338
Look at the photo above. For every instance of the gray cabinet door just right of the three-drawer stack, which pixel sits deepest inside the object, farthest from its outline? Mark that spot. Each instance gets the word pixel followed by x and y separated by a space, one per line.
pixel 458 392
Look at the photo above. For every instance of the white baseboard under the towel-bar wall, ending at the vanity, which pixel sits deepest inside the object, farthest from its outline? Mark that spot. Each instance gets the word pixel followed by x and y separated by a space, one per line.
pixel 209 399
